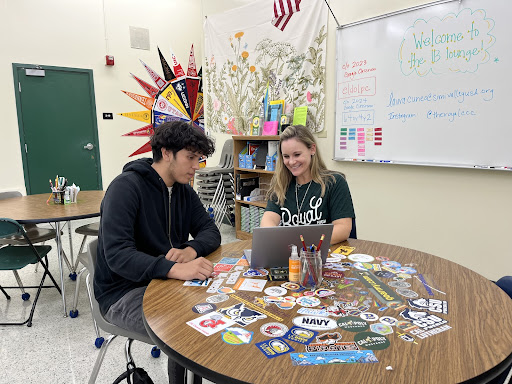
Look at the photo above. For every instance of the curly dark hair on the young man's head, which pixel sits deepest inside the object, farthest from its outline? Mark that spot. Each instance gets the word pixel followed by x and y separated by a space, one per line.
pixel 177 135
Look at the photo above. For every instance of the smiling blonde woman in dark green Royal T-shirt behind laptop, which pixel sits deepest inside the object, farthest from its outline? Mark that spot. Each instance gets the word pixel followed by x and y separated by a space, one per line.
pixel 303 191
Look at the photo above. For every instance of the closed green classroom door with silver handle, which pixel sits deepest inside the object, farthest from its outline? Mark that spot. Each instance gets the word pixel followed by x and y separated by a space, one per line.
pixel 58 127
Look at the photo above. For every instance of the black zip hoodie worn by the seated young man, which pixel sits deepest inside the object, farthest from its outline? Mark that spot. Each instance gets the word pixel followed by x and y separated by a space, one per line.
pixel 134 231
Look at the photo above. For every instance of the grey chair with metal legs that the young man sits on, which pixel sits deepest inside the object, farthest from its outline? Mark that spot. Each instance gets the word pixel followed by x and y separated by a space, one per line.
pixel 114 330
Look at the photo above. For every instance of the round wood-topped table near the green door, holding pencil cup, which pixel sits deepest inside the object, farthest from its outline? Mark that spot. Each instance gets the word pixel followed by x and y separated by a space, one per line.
pixel 33 209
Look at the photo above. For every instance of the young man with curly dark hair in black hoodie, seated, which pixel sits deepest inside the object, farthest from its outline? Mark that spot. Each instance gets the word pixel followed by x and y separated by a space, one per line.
pixel 147 215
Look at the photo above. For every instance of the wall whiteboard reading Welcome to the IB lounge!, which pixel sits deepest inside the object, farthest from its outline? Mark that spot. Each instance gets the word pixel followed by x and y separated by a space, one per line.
pixel 430 85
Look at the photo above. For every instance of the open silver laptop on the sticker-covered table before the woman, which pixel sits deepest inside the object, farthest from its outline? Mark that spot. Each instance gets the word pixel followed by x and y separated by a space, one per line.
pixel 271 245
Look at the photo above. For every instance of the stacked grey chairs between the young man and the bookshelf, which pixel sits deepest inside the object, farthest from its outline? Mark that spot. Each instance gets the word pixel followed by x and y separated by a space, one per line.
pixel 215 187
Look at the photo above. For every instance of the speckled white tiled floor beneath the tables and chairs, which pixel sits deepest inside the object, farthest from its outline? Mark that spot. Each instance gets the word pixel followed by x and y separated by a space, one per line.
pixel 58 349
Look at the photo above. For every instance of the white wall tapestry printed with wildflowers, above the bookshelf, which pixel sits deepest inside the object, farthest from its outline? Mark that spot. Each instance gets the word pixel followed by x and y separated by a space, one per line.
pixel 248 48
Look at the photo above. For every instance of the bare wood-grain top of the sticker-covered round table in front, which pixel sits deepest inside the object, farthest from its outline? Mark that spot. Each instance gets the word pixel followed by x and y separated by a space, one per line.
pixel 477 347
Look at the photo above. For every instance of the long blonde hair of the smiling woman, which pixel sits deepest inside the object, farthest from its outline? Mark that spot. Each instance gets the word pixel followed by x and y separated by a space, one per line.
pixel 282 177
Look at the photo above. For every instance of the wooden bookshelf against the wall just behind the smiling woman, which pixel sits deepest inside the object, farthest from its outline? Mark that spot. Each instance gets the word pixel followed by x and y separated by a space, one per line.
pixel 239 143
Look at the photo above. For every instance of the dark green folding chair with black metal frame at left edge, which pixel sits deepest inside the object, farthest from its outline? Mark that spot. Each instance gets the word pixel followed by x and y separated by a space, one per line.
pixel 14 257
